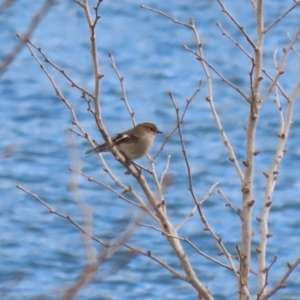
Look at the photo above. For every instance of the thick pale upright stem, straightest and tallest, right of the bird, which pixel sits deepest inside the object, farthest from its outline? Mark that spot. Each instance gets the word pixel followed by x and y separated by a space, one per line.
pixel 247 183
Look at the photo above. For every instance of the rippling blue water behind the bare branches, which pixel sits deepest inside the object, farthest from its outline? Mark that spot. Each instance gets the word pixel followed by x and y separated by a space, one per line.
pixel 41 254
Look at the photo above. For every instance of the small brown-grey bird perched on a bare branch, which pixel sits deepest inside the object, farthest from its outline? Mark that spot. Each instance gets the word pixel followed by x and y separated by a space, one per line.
pixel 133 143
